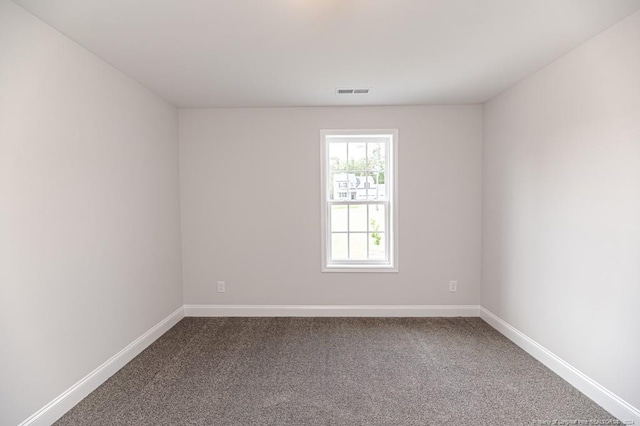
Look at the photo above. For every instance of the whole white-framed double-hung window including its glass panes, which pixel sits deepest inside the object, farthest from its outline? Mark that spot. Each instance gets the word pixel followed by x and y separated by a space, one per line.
pixel 359 207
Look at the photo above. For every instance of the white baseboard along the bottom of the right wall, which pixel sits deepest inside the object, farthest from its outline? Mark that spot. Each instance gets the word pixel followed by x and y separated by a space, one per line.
pixel 599 394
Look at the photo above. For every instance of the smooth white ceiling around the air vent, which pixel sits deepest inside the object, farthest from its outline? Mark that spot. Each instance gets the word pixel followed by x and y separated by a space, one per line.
pixel 233 53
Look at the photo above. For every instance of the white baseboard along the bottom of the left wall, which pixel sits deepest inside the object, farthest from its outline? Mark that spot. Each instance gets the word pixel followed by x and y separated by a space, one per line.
pixel 51 412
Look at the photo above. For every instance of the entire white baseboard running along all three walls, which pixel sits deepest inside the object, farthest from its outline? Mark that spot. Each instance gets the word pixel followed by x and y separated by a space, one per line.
pixel 65 401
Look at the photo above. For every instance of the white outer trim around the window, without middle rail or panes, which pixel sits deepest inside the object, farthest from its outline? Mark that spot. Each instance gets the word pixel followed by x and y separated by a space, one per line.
pixel 353 266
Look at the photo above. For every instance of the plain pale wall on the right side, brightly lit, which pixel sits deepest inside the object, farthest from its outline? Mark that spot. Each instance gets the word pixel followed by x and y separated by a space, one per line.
pixel 561 208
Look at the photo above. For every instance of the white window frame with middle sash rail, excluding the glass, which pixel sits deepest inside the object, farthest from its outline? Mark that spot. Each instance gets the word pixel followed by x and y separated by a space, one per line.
pixel 391 213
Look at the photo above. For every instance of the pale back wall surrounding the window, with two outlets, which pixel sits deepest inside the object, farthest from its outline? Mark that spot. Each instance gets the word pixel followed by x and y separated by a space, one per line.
pixel 266 243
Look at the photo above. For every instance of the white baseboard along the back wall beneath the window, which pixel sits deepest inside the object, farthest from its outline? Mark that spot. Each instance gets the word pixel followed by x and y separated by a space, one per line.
pixel 331 310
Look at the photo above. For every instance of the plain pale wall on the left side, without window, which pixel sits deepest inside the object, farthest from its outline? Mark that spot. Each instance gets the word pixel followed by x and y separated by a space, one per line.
pixel 89 213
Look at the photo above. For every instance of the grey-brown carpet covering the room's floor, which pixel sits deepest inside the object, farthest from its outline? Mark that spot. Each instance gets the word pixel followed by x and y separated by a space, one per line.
pixel 334 371
